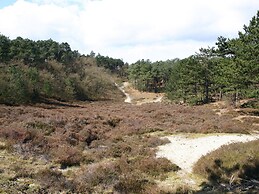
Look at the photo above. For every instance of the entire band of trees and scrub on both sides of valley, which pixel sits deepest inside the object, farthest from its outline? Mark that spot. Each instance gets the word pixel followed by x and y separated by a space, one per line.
pixel 32 70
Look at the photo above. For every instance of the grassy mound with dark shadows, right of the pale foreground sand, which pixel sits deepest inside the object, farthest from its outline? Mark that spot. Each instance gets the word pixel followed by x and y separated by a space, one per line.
pixel 232 167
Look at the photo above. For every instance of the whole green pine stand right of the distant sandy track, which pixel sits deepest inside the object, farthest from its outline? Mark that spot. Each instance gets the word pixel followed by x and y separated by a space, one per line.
pixel 228 70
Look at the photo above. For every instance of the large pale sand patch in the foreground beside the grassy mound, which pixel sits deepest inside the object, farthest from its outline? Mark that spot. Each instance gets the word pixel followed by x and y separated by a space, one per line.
pixel 185 150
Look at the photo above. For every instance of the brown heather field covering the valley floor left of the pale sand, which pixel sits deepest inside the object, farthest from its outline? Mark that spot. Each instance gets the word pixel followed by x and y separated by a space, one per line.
pixel 101 146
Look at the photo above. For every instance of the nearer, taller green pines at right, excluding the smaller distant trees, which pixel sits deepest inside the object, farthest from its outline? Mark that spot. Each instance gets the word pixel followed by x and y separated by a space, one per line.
pixel 231 70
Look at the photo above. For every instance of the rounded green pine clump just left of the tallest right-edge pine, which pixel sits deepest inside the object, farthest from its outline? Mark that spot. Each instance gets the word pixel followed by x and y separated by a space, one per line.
pixel 192 79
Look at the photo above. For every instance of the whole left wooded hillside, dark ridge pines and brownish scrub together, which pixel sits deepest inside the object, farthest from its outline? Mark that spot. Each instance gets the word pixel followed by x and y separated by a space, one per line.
pixel 32 71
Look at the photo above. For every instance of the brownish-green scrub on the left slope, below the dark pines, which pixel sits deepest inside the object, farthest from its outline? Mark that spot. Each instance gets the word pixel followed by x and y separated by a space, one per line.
pixel 22 84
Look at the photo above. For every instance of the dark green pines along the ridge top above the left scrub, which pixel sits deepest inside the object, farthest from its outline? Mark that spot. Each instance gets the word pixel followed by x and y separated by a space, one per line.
pixel 35 52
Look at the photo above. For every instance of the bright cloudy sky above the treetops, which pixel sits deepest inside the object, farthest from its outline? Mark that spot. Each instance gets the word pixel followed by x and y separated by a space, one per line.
pixel 128 29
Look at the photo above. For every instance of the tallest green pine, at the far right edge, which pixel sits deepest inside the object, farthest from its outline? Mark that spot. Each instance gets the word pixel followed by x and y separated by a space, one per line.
pixel 240 66
